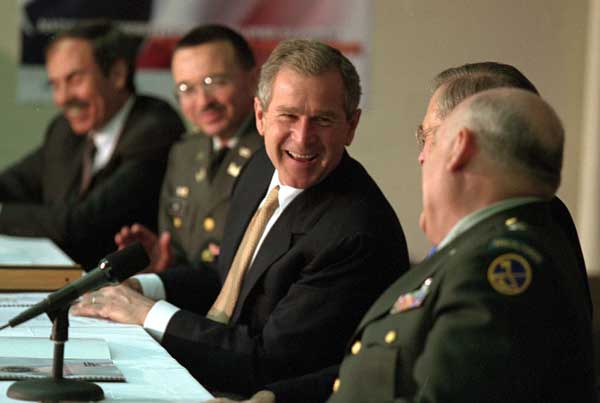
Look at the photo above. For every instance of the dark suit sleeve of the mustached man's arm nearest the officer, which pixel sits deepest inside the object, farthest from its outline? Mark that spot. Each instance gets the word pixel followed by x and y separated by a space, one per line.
pixel 76 225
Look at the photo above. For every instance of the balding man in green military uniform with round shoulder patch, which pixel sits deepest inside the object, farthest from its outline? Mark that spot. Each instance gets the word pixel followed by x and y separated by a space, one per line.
pixel 496 315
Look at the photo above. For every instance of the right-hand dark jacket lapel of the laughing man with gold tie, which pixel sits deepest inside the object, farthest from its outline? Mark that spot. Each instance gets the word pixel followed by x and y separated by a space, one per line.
pixel 299 216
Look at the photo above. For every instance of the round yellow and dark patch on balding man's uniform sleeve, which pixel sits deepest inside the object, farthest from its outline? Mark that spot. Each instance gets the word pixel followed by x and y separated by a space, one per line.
pixel 509 274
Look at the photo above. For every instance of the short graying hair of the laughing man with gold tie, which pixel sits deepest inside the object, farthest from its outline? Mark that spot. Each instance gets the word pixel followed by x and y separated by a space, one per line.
pixel 310 58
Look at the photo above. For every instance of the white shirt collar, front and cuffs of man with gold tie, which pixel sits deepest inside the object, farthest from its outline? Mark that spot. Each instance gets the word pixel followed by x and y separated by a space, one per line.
pixel 161 312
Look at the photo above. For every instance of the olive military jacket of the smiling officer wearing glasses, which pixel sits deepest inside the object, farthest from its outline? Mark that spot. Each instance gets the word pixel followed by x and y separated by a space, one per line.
pixel 195 195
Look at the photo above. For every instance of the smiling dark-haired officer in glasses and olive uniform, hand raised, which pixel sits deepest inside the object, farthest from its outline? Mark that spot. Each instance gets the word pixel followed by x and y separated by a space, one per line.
pixel 215 80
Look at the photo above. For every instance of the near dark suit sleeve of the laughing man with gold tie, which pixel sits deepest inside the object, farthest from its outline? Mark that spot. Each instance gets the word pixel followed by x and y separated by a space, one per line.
pixel 306 330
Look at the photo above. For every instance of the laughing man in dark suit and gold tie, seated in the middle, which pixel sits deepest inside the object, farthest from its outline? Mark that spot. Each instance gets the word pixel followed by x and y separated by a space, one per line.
pixel 310 240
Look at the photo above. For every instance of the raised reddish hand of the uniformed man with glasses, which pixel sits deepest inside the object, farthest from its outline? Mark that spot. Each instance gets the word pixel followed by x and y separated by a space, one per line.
pixel 157 248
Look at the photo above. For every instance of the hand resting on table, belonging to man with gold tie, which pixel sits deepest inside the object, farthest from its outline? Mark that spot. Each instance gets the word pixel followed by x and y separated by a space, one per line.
pixel 117 303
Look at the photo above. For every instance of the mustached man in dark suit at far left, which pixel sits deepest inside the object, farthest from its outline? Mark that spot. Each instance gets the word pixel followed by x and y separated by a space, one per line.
pixel 103 157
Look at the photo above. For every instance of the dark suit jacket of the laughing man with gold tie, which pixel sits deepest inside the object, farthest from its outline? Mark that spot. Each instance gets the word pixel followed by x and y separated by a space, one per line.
pixel 330 253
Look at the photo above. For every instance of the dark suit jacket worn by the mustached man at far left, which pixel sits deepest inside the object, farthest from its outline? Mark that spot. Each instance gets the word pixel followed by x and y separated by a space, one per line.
pixel 40 194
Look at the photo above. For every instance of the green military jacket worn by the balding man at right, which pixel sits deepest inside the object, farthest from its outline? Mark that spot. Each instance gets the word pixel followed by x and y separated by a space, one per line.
pixel 496 315
